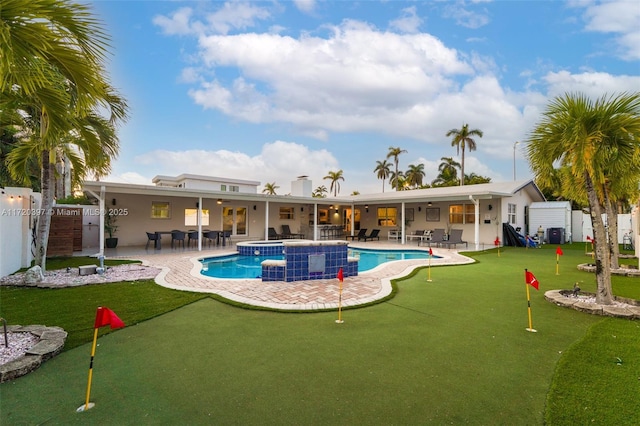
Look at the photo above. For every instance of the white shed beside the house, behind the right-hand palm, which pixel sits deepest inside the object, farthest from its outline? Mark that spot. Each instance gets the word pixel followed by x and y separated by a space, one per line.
pixel 552 217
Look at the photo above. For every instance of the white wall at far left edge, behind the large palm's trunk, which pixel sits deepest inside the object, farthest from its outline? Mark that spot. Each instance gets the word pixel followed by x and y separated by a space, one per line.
pixel 16 222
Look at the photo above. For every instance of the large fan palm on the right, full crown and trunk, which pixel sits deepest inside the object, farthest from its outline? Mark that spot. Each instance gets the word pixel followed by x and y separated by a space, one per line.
pixel 596 146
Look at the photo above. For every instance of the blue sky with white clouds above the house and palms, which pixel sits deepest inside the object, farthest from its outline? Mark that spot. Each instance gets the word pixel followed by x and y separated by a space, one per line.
pixel 272 90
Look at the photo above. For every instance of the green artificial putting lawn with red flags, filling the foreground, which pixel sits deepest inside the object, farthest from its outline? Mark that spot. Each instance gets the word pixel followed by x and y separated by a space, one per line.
pixel 453 351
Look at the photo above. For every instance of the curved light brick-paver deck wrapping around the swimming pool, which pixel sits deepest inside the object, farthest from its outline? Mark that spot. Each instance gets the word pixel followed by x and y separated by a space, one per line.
pixel 182 272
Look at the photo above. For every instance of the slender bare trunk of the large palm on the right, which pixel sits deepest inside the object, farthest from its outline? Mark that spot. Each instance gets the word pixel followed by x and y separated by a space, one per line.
pixel 603 266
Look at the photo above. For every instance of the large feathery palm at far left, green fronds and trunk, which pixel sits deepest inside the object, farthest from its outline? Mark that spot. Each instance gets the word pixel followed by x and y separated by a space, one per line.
pixel 64 48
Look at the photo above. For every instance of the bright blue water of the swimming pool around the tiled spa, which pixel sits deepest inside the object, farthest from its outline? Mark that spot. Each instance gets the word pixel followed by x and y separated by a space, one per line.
pixel 237 266
